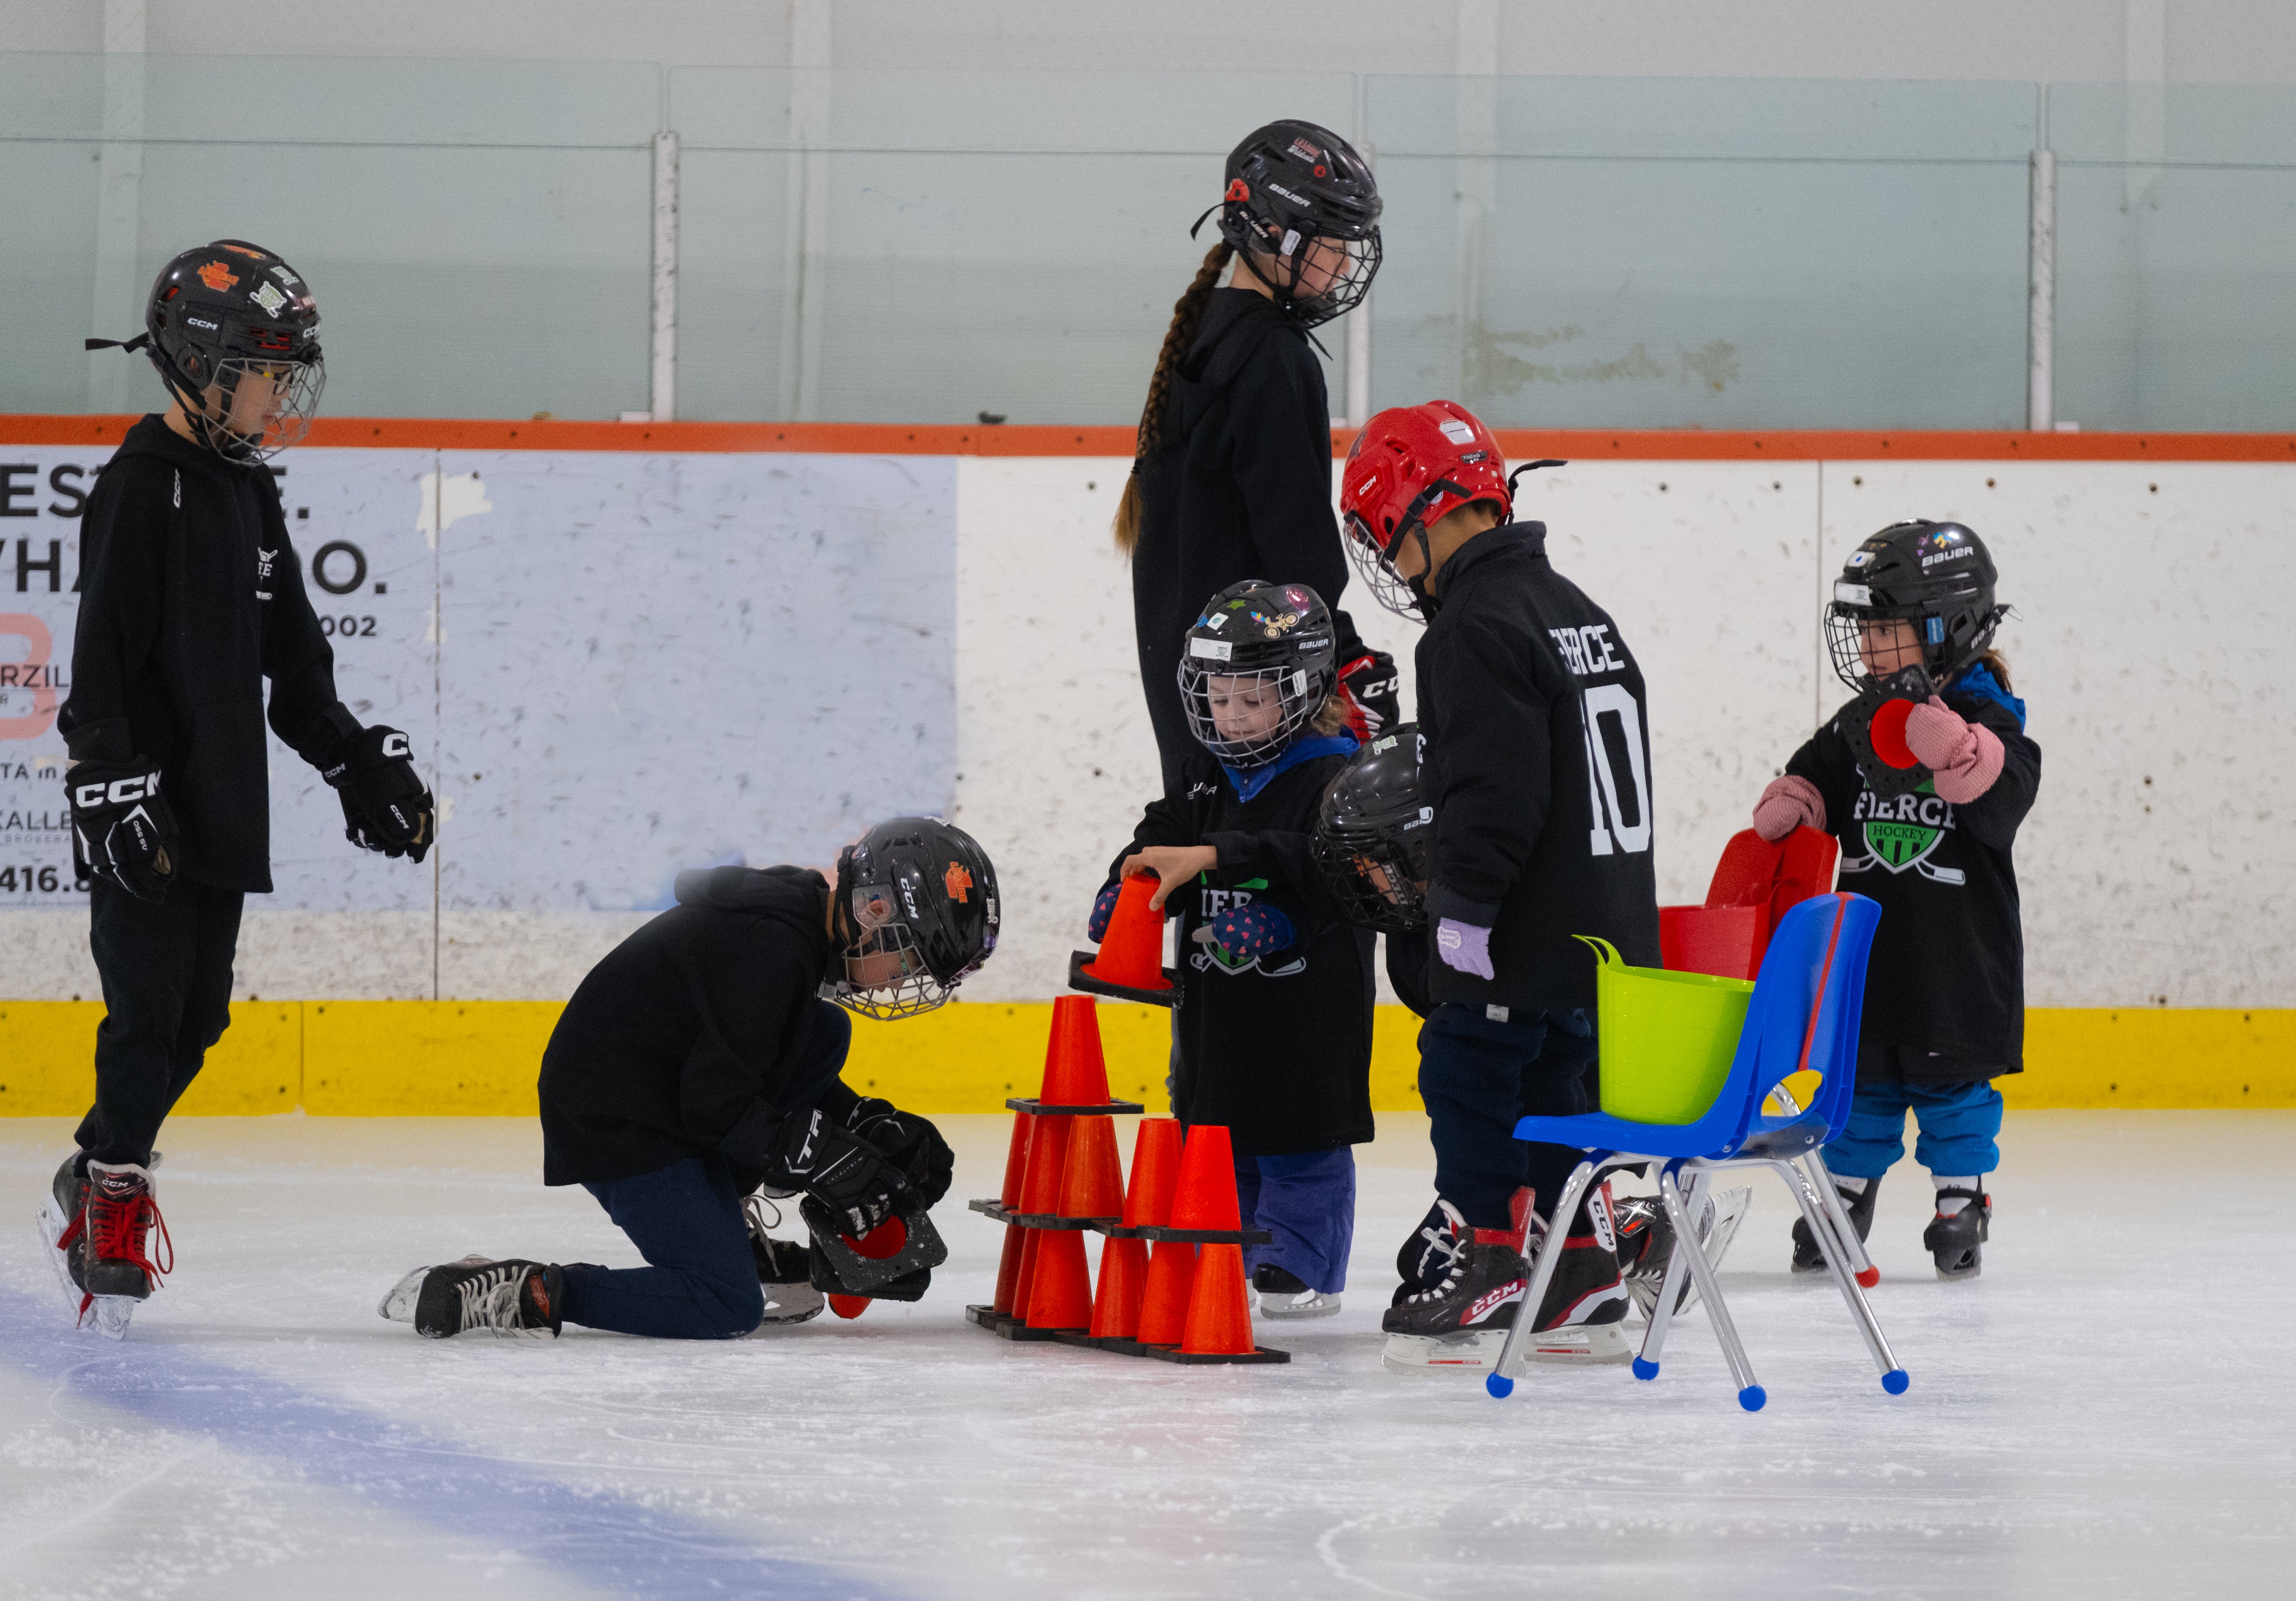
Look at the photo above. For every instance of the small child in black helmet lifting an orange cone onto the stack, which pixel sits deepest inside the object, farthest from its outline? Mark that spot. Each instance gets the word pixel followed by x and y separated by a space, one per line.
pixel 1275 1014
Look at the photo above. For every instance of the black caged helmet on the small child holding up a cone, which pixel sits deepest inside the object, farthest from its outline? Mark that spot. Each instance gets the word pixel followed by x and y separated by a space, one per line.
pixel 1257 670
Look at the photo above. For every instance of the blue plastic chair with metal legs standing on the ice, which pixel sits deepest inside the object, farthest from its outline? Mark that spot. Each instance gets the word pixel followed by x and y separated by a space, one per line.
pixel 1804 1014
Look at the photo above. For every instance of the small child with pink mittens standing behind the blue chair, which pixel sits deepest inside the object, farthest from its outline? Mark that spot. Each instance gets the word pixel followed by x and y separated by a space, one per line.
pixel 1946 984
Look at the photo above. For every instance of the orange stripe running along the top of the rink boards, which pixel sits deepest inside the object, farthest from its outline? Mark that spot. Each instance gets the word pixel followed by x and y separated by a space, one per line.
pixel 1576 444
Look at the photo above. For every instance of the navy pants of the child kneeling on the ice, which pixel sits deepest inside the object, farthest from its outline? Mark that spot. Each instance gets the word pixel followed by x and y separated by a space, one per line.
pixel 701 1278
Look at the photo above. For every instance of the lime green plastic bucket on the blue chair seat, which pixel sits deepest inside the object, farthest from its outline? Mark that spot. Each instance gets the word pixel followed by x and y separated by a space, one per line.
pixel 1668 1039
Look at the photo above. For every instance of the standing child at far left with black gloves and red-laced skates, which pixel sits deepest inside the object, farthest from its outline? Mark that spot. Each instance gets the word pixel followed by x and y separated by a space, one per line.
pixel 194 596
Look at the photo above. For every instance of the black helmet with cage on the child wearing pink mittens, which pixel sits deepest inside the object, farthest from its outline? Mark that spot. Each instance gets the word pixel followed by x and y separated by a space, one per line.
pixel 1934 575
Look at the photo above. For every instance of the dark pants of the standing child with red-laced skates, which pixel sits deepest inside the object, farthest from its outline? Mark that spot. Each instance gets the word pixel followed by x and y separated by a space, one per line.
pixel 166 1000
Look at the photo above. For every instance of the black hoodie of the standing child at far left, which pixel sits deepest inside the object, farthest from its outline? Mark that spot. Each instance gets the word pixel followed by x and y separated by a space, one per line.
pixel 192 596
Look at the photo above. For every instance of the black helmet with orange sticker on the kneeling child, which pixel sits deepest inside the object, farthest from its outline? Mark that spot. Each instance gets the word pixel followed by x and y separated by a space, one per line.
pixel 920 904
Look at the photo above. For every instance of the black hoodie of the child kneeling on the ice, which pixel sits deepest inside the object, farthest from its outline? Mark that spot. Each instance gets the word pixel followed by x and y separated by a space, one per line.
pixel 699 1032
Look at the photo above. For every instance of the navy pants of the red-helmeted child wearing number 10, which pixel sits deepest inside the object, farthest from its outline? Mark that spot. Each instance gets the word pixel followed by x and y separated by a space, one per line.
pixel 1477 1076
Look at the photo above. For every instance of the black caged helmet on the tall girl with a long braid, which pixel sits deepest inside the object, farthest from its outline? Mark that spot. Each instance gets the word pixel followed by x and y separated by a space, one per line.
pixel 1303 210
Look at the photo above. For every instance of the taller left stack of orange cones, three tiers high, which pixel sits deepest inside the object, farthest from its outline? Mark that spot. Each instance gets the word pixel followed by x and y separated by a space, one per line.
pixel 1062 1180
